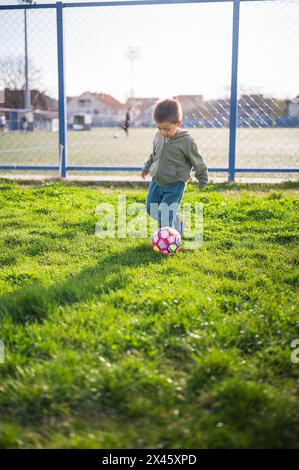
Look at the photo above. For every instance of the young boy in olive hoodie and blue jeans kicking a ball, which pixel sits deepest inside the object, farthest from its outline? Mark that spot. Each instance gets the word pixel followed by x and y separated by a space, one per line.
pixel 174 154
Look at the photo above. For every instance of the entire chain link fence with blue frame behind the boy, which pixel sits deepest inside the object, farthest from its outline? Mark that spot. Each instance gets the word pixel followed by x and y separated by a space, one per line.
pixel 123 58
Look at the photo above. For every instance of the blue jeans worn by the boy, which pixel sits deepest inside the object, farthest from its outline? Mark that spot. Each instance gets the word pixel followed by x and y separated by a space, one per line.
pixel 163 203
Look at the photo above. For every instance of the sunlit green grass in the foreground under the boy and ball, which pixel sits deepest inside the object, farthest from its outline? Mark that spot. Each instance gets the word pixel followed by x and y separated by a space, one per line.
pixel 109 345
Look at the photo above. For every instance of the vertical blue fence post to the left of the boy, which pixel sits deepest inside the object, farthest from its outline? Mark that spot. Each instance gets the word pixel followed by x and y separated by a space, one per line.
pixel 61 91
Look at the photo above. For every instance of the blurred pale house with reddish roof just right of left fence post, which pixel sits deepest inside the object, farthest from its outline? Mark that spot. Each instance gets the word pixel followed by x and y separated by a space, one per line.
pixel 104 109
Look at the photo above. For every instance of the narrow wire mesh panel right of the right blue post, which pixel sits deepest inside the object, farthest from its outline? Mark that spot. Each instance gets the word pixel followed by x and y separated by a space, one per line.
pixel 268 105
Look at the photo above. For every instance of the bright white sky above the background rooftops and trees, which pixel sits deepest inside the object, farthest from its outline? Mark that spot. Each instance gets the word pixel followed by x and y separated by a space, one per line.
pixel 184 49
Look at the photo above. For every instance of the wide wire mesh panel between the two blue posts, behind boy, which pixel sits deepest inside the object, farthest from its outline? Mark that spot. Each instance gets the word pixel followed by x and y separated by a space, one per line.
pixel 131 56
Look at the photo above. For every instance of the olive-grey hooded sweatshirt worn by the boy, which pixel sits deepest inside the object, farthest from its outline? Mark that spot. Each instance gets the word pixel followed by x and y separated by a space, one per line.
pixel 173 160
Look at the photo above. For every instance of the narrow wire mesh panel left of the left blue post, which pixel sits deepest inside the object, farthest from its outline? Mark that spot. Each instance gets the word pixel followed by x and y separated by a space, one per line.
pixel 28 128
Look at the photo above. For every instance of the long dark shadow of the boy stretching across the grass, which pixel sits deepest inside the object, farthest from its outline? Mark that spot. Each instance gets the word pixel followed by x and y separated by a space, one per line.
pixel 34 302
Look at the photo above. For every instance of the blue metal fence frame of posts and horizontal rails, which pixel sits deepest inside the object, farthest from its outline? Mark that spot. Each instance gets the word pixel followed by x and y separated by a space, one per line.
pixel 63 166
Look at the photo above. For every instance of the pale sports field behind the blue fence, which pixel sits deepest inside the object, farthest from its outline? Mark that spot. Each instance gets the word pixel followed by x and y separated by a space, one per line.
pixel 261 148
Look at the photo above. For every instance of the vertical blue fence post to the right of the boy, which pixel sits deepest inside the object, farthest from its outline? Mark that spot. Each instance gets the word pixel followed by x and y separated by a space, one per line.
pixel 233 93
